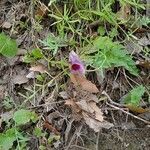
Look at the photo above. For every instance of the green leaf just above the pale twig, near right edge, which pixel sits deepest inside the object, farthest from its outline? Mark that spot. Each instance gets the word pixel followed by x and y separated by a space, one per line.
pixel 135 95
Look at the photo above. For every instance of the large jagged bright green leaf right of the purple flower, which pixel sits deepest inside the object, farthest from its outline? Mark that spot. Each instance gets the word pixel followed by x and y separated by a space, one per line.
pixel 111 54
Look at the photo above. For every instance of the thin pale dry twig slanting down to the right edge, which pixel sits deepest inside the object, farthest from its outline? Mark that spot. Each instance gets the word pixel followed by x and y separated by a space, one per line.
pixel 121 109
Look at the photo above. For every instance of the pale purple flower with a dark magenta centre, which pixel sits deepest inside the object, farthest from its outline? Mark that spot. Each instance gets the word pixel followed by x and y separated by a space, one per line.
pixel 76 64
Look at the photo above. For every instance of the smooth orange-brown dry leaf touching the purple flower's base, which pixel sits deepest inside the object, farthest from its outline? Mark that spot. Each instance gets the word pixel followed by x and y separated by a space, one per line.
pixel 79 80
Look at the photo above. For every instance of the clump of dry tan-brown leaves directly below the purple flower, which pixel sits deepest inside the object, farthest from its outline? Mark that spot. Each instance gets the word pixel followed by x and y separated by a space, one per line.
pixel 87 108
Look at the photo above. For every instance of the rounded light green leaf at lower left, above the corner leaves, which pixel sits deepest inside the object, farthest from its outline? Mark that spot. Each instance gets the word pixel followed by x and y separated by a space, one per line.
pixel 23 116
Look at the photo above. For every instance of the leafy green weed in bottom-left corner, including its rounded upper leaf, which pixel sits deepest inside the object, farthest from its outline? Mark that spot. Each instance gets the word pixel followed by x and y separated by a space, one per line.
pixel 13 133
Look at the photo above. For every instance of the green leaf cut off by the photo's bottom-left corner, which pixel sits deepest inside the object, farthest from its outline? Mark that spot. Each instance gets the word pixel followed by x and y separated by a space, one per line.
pixel 7 139
